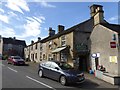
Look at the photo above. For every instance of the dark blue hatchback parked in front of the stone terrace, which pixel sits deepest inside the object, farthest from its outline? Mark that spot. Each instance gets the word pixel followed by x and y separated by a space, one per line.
pixel 60 71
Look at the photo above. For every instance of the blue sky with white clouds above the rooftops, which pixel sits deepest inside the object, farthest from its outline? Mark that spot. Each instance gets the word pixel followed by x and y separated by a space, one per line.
pixel 30 20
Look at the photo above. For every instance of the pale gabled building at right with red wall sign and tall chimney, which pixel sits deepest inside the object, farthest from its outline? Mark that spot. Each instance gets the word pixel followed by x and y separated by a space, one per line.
pixel 105 52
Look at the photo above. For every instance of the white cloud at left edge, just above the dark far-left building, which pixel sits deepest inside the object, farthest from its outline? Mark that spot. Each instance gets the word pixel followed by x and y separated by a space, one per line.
pixel 9 32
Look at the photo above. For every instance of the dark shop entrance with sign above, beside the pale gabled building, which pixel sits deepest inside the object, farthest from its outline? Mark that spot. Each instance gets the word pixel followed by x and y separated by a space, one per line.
pixel 81 57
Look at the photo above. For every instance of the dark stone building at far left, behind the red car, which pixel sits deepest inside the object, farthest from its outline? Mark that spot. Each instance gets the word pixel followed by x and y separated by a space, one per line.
pixel 11 46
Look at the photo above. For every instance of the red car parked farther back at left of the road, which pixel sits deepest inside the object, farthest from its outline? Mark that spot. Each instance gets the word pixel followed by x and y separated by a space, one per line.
pixel 15 60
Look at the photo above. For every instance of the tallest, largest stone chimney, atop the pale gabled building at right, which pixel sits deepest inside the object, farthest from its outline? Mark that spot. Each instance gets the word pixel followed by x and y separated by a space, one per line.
pixel 97 14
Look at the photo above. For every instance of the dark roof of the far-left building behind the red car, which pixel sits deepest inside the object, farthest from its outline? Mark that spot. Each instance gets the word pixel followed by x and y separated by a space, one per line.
pixel 13 41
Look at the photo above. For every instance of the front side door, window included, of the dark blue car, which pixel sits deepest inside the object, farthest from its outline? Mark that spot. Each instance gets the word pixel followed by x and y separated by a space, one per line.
pixel 54 72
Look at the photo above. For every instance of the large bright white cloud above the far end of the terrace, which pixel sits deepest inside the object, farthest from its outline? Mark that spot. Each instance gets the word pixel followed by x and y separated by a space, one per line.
pixel 33 26
